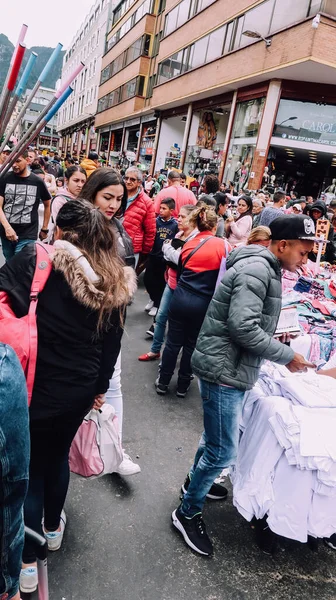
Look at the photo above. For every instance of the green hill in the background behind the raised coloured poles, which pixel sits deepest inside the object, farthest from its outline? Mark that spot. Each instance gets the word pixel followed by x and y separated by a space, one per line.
pixel 6 51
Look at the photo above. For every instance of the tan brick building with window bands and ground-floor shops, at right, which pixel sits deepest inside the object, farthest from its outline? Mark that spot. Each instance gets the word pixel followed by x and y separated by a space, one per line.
pixel 245 89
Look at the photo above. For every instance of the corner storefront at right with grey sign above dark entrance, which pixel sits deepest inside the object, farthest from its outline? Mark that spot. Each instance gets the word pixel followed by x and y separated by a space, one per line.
pixel 302 154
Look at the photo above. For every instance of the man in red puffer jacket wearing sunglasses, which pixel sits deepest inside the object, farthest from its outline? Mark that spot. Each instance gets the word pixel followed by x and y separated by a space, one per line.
pixel 139 219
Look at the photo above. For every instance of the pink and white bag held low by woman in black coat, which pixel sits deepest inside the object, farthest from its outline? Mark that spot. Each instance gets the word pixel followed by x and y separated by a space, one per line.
pixel 96 449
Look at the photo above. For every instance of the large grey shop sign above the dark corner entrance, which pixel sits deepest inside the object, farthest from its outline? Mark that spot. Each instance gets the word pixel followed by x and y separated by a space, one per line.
pixel 306 122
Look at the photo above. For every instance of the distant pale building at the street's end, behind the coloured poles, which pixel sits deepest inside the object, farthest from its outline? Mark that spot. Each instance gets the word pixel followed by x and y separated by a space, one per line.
pixel 48 138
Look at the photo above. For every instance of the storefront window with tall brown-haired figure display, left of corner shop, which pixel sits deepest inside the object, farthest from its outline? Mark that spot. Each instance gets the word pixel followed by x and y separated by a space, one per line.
pixel 206 140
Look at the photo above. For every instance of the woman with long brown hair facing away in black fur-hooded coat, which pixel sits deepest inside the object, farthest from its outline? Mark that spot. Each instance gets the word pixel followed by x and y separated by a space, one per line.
pixel 80 324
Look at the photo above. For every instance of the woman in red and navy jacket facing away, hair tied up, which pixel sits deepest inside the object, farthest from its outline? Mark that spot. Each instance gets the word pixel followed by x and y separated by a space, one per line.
pixel 200 261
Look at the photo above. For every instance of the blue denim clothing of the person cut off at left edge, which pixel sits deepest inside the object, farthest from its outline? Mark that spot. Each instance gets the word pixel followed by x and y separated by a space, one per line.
pixel 14 465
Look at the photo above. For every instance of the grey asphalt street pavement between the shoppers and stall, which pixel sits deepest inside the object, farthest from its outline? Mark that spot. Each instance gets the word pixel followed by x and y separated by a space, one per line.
pixel 119 542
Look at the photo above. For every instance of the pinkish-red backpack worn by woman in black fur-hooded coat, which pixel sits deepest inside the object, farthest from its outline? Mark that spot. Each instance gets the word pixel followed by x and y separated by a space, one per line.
pixel 21 333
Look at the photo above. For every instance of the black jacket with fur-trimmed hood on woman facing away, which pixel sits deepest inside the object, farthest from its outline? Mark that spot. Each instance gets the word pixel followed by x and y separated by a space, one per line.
pixel 74 362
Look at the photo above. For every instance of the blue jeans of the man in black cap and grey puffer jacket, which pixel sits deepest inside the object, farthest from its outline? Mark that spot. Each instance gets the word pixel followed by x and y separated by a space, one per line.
pixel 219 442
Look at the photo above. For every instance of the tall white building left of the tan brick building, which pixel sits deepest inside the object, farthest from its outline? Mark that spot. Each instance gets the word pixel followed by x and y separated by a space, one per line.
pixel 76 117
